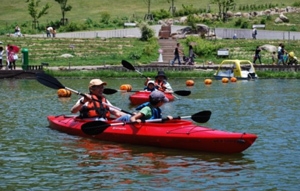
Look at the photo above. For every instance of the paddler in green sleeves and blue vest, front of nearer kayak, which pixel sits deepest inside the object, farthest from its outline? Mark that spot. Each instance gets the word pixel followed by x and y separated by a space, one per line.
pixel 148 110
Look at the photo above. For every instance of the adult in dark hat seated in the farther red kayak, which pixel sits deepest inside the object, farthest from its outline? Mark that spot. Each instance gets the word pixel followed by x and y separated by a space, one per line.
pixel 161 82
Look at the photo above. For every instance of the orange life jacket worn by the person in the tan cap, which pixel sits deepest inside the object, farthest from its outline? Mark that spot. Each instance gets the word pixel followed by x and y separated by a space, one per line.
pixel 95 108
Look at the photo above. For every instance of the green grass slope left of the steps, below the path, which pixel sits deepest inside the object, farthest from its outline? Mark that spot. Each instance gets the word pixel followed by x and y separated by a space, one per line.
pixel 86 51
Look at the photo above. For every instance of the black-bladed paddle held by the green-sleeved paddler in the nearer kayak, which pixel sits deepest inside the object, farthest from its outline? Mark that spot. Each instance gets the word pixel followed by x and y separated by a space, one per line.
pixel 97 127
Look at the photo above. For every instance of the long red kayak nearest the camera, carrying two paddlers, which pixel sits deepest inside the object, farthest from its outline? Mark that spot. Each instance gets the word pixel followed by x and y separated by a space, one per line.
pixel 177 134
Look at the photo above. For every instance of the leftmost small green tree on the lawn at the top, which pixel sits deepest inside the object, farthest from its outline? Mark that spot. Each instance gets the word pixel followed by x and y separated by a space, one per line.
pixel 33 6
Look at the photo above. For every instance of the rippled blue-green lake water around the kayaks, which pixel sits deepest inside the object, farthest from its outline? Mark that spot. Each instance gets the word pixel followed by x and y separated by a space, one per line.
pixel 35 157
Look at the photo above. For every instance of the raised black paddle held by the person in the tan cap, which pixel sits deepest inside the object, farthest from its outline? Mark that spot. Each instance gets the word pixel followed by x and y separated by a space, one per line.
pixel 52 82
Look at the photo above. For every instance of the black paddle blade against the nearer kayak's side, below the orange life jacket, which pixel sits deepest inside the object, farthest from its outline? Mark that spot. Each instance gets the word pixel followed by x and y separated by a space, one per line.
pixel 94 127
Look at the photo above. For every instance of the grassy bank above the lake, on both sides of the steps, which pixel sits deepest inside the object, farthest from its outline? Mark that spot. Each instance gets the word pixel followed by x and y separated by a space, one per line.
pixel 97 52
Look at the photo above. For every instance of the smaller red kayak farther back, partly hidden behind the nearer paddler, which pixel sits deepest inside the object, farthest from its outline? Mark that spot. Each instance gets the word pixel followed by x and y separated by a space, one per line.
pixel 141 97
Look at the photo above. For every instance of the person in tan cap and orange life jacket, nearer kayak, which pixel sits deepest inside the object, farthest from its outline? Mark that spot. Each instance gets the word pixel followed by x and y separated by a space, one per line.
pixel 95 105
